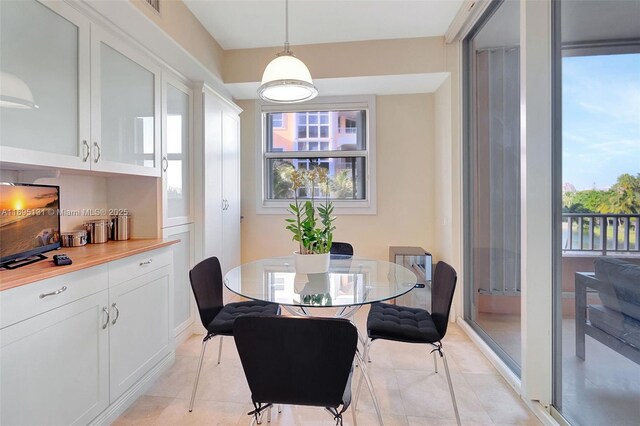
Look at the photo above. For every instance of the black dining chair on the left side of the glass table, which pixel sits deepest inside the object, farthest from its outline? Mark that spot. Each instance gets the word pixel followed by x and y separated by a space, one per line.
pixel 218 318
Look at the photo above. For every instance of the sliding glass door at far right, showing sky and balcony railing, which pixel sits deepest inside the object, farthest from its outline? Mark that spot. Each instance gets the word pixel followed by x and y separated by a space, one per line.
pixel 597 321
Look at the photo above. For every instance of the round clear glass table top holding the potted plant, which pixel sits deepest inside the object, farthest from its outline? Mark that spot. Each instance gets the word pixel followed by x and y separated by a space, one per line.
pixel 350 281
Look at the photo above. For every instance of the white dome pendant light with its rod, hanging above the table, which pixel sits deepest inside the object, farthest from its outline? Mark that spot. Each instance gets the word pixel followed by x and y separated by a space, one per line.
pixel 286 79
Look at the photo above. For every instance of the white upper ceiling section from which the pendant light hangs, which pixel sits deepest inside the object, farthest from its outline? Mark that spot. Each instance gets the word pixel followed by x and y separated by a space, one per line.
pixel 241 24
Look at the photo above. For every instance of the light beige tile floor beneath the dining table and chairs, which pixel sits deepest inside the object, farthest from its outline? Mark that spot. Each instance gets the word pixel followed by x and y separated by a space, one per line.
pixel 408 390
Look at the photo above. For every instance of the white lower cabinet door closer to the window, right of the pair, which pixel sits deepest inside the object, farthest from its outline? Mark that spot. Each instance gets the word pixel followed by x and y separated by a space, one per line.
pixel 141 331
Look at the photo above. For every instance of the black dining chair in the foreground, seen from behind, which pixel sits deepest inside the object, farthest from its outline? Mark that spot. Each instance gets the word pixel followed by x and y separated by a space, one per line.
pixel 297 361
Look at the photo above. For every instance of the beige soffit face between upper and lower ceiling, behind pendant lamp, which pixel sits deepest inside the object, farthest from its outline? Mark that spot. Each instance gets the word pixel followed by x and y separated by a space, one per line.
pixel 353 59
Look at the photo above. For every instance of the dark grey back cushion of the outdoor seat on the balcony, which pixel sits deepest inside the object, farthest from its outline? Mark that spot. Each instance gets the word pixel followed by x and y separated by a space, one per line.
pixel 625 279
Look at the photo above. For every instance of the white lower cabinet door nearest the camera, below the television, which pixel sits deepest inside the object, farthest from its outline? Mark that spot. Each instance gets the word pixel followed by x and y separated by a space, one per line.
pixel 55 366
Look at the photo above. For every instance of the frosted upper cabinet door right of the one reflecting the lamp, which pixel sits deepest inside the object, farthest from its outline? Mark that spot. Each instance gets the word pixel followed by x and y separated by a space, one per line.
pixel 125 107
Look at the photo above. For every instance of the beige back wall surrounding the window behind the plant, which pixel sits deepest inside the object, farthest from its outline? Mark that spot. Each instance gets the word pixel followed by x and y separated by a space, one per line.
pixel 405 186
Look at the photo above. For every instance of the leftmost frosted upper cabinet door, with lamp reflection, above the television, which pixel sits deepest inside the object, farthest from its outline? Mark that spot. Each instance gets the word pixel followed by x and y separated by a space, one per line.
pixel 44 58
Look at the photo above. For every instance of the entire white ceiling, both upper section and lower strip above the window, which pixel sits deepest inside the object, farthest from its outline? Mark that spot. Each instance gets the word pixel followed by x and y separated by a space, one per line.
pixel 244 24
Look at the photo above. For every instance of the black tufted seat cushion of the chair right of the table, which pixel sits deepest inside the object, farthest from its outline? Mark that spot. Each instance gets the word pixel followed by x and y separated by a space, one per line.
pixel 401 323
